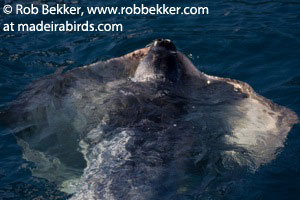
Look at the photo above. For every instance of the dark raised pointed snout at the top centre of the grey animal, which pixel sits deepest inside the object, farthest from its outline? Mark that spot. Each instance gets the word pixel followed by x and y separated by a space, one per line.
pixel 160 63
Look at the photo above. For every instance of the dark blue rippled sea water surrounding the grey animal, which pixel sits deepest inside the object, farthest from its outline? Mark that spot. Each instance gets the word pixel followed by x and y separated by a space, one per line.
pixel 254 41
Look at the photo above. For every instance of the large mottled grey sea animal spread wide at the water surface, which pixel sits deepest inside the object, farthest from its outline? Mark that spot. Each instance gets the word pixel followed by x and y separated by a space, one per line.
pixel 146 125
